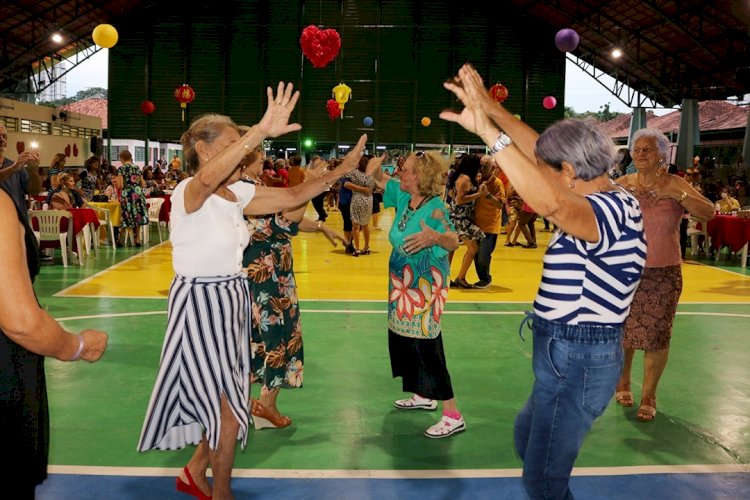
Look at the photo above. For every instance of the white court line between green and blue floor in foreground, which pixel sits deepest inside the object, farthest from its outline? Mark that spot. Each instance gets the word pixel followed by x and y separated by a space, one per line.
pixel 402 474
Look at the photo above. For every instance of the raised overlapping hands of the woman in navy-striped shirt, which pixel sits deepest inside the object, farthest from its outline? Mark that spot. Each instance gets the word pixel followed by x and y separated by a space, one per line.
pixel 469 89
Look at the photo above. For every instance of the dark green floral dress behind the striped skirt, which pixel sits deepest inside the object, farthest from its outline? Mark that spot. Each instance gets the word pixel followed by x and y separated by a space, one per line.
pixel 276 338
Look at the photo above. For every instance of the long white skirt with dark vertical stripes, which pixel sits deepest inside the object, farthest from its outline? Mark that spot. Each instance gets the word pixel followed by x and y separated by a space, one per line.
pixel 205 354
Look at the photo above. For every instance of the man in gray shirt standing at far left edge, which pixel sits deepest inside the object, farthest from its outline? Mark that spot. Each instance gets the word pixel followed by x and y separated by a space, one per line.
pixel 20 177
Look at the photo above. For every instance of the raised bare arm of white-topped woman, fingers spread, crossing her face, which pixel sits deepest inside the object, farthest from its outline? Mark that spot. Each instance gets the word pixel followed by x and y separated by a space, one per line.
pixel 275 122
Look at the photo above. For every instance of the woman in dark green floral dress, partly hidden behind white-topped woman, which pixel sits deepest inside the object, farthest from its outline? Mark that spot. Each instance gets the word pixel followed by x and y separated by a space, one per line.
pixel 276 337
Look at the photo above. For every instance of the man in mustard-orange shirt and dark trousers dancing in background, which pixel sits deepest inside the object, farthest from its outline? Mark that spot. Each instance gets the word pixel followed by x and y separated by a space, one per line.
pixel 487 214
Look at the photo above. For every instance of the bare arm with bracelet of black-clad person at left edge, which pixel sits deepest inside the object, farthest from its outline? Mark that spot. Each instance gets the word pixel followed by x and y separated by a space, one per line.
pixel 21 318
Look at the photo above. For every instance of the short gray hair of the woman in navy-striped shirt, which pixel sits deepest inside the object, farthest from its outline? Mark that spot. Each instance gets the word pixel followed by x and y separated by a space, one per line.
pixel 579 143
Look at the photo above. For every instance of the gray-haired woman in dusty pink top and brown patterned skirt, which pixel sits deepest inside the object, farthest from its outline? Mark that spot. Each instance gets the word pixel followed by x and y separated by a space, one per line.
pixel 663 197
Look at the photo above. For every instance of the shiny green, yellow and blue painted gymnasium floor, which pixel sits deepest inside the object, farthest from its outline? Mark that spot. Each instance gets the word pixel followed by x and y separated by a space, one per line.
pixel 347 440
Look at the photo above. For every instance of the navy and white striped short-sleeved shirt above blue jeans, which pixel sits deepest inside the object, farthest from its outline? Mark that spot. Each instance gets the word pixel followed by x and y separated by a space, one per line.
pixel 594 283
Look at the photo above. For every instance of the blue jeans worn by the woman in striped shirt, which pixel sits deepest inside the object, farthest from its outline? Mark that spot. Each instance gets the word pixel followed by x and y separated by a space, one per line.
pixel 576 369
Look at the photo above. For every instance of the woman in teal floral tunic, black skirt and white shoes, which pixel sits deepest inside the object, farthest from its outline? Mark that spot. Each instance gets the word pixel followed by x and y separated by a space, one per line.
pixel 419 274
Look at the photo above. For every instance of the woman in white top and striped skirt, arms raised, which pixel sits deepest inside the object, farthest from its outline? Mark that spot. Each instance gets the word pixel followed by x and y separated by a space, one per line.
pixel 202 394
